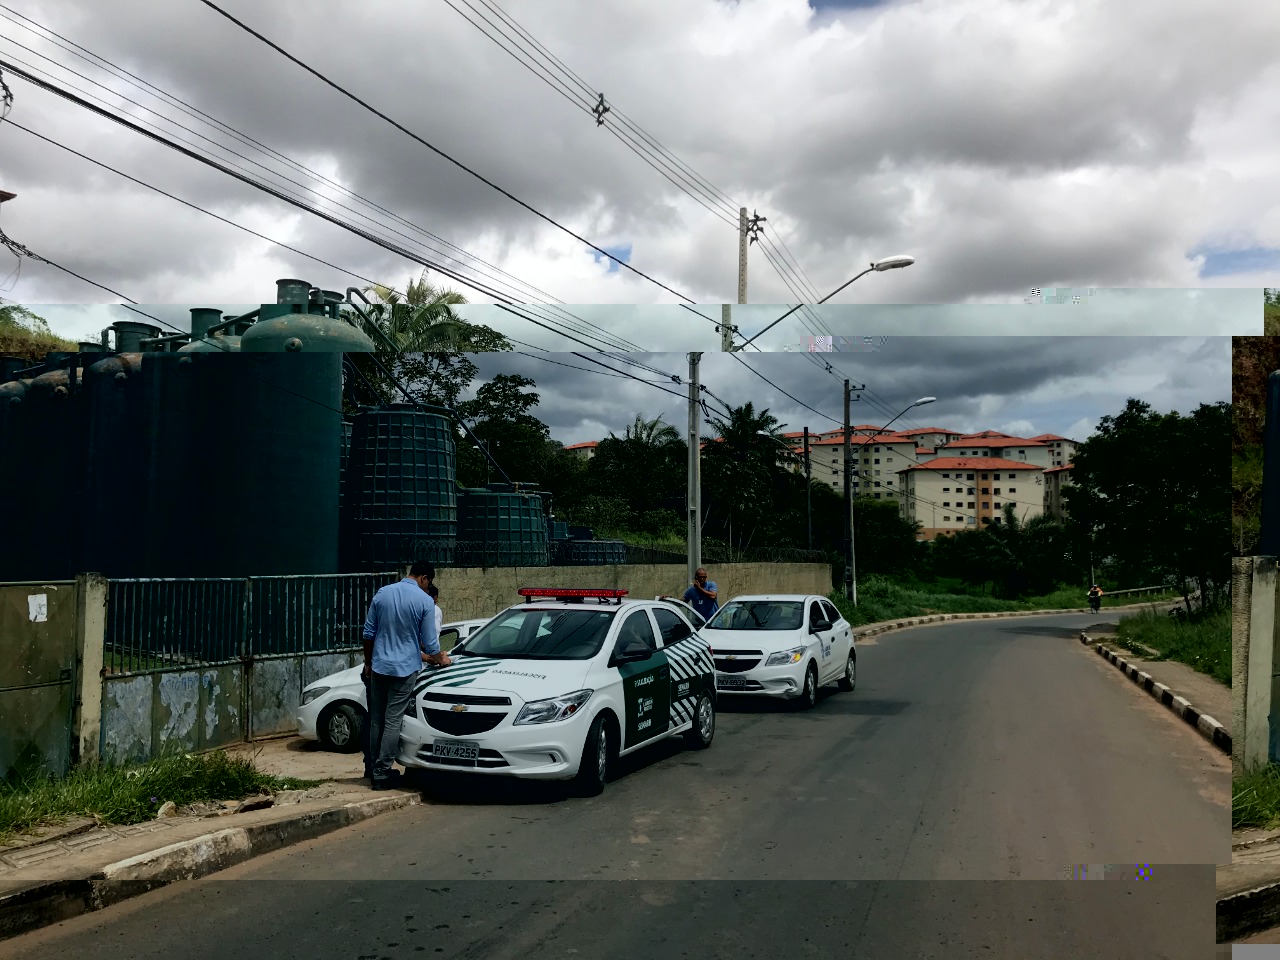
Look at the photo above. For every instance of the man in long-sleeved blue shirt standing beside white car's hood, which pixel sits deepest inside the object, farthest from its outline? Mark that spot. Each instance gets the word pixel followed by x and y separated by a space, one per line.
pixel 400 637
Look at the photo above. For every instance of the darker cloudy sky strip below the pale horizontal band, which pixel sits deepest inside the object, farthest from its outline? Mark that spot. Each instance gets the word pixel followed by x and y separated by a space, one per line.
pixel 1021 386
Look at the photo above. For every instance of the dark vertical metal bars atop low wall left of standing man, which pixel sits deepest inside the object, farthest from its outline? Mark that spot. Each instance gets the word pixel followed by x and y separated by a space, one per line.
pixel 156 625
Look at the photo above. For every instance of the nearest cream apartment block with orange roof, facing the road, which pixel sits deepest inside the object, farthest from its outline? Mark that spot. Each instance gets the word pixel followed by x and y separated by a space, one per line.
pixel 966 493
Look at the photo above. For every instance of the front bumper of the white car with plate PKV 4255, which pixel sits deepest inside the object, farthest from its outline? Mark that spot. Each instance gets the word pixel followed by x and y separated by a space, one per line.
pixel 533 752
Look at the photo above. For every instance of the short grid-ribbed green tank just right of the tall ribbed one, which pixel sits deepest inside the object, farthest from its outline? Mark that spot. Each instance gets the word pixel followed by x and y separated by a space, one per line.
pixel 501 529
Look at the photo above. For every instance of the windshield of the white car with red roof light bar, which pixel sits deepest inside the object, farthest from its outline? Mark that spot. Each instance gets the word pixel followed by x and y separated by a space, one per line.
pixel 570 634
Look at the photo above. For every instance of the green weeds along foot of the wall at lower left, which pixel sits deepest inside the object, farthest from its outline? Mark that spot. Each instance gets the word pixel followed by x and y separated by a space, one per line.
pixel 132 794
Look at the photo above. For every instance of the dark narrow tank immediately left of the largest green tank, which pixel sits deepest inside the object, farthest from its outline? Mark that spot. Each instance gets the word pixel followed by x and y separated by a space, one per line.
pixel 115 474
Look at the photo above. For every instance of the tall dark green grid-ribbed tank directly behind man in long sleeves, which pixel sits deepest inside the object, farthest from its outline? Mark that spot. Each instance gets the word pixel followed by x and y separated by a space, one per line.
pixel 401 487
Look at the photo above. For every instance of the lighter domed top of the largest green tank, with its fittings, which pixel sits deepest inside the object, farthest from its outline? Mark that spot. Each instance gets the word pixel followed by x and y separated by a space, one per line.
pixel 304 321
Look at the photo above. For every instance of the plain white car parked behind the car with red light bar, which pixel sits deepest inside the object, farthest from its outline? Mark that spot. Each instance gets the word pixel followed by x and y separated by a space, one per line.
pixel 781 646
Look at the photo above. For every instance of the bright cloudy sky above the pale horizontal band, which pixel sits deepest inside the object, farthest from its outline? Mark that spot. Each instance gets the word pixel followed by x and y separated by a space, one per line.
pixel 1004 145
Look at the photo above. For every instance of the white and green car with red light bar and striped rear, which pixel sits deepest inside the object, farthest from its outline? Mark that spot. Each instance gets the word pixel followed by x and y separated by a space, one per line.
pixel 559 687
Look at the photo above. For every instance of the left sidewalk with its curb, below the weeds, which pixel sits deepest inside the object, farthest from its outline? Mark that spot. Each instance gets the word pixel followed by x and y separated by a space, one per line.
pixel 79 867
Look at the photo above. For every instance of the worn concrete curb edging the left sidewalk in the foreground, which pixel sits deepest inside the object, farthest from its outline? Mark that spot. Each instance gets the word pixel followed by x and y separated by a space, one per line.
pixel 52 902
